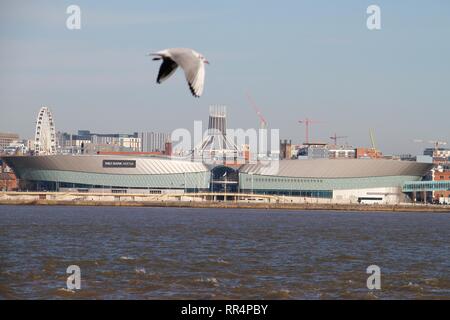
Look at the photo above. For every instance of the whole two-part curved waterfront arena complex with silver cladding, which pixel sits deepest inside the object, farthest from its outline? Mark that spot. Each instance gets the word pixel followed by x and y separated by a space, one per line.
pixel 340 181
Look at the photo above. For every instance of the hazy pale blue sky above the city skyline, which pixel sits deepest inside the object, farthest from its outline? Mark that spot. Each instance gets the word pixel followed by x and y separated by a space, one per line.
pixel 298 59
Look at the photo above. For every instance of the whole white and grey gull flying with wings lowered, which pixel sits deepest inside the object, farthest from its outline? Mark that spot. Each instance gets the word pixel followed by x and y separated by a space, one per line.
pixel 192 62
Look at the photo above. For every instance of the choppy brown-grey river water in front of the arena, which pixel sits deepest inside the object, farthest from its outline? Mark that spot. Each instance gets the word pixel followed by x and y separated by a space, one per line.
pixel 175 253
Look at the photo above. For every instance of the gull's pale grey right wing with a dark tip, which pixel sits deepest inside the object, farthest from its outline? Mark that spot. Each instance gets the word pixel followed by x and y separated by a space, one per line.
pixel 194 69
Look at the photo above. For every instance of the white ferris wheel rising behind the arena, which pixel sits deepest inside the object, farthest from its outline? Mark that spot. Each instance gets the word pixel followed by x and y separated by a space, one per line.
pixel 45 136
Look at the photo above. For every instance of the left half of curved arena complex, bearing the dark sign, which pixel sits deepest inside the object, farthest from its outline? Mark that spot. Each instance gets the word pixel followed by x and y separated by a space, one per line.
pixel 110 172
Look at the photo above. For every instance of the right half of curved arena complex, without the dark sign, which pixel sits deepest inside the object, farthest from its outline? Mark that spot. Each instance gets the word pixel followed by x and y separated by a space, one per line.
pixel 340 181
